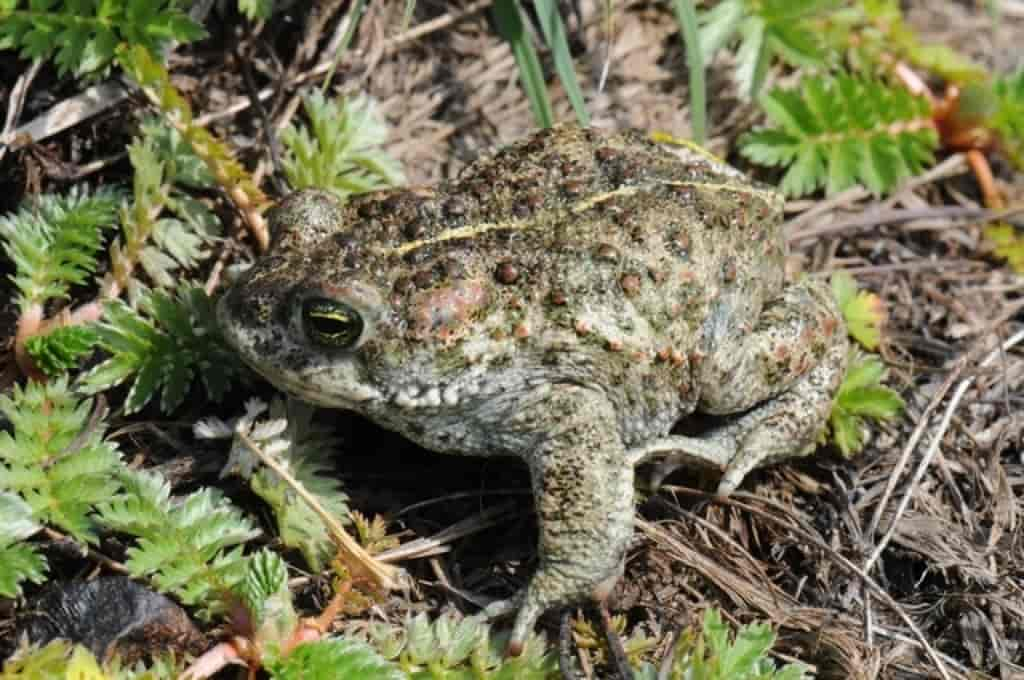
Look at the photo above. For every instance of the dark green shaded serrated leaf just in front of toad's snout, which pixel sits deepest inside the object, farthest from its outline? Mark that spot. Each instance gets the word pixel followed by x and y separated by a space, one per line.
pixel 164 347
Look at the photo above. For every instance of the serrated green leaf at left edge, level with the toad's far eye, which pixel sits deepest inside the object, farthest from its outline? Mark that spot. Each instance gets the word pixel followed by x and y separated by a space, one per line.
pixel 55 242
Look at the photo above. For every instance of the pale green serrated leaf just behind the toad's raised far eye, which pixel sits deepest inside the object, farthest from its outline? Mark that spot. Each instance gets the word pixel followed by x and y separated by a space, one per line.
pixel 339 152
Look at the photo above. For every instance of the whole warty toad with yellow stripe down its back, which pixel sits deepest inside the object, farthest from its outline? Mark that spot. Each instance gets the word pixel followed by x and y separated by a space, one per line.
pixel 567 301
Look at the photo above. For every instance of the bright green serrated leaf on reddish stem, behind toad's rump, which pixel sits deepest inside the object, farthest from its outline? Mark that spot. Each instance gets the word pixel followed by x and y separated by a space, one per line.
pixel 837 133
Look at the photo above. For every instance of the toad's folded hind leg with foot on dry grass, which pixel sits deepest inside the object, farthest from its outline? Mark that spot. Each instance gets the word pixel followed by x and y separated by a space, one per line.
pixel 782 378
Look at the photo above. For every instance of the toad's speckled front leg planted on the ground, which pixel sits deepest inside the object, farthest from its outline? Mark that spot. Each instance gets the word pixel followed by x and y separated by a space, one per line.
pixel 583 491
